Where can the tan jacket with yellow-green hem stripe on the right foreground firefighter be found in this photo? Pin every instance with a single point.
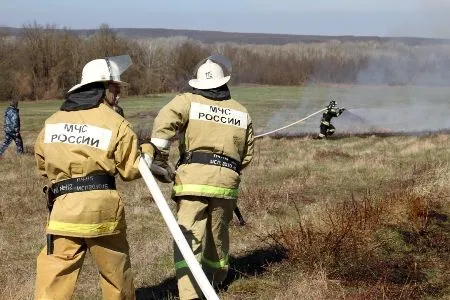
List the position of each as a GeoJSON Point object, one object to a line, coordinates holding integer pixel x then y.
{"type": "Point", "coordinates": [214, 126]}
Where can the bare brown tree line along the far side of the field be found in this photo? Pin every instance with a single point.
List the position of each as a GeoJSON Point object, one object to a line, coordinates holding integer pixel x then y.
{"type": "Point", "coordinates": [45, 61]}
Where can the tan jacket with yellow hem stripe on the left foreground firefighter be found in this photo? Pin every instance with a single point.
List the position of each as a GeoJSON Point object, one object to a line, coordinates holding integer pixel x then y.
{"type": "Point", "coordinates": [75, 144]}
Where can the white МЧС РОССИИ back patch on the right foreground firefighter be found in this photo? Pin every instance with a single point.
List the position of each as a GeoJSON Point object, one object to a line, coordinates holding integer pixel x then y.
{"type": "Point", "coordinates": [219, 115]}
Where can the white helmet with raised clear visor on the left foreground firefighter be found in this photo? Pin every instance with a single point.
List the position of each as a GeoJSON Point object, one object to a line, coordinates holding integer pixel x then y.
{"type": "Point", "coordinates": [104, 70]}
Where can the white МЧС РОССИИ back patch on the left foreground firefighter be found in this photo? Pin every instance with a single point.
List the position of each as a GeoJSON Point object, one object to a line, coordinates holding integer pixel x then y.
{"type": "Point", "coordinates": [78, 134]}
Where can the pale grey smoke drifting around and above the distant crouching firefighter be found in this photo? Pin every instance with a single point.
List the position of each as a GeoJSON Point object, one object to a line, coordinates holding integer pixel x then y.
{"type": "Point", "coordinates": [401, 89]}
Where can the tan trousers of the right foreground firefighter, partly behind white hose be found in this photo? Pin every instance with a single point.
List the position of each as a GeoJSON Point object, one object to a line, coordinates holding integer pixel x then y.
{"type": "Point", "coordinates": [204, 222]}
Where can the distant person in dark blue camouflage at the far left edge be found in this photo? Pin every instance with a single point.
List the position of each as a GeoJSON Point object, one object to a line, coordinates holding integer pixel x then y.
{"type": "Point", "coordinates": [12, 128]}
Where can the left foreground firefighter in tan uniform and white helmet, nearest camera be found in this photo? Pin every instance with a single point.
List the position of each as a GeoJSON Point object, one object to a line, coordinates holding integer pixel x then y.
{"type": "Point", "coordinates": [80, 150]}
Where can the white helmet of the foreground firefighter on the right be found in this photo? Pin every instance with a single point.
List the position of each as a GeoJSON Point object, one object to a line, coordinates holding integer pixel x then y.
{"type": "Point", "coordinates": [209, 75]}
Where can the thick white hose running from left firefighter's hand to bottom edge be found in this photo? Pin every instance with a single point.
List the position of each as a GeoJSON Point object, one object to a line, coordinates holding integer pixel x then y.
{"type": "Point", "coordinates": [175, 230]}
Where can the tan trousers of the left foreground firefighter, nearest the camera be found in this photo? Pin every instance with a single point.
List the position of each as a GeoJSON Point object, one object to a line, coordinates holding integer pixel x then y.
{"type": "Point", "coordinates": [57, 273]}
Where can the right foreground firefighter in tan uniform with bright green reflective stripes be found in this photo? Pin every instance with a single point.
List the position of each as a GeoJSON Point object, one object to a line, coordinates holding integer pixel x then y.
{"type": "Point", "coordinates": [216, 144]}
